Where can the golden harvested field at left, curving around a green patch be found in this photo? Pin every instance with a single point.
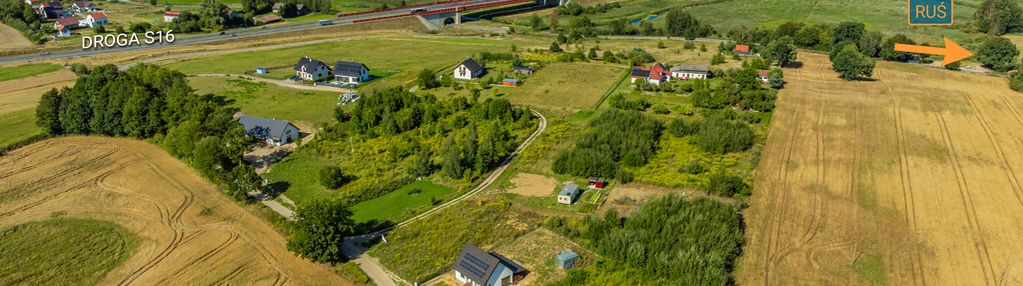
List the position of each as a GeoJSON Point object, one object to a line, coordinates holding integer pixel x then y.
{"type": "Point", "coordinates": [189, 232]}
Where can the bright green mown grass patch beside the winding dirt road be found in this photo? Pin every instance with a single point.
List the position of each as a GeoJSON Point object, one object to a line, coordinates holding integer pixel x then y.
{"type": "Point", "coordinates": [402, 204]}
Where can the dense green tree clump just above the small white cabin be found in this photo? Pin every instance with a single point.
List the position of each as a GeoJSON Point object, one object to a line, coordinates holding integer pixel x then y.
{"type": "Point", "coordinates": [616, 138]}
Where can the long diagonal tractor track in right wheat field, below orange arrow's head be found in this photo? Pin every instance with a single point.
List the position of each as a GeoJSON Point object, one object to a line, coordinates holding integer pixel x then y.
{"type": "Point", "coordinates": [968, 206]}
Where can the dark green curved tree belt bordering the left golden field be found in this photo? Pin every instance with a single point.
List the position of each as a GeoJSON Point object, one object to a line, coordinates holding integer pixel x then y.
{"type": "Point", "coordinates": [149, 102]}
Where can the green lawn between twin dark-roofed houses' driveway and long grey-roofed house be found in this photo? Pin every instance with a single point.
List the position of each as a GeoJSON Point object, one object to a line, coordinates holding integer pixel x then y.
{"type": "Point", "coordinates": [268, 101]}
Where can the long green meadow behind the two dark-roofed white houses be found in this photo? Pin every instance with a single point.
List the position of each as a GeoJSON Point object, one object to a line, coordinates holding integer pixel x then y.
{"type": "Point", "coordinates": [402, 57]}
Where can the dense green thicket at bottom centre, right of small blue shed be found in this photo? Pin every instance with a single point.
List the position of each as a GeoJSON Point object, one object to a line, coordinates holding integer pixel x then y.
{"type": "Point", "coordinates": [648, 243]}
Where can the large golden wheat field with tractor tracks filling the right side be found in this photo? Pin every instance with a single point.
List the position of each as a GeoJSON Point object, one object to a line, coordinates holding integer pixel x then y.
{"type": "Point", "coordinates": [912, 179]}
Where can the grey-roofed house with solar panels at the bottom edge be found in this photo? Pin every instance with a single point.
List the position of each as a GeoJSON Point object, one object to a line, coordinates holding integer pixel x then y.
{"type": "Point", "coordinates": [477, 268]}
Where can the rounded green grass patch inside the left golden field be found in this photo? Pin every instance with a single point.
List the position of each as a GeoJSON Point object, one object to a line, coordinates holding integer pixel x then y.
{"type": "Point", "coordinates": [63, 252]}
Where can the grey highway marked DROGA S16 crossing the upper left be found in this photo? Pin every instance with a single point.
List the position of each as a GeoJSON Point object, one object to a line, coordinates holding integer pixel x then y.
{"type": "Point", "coordinates": [240, 33]}
